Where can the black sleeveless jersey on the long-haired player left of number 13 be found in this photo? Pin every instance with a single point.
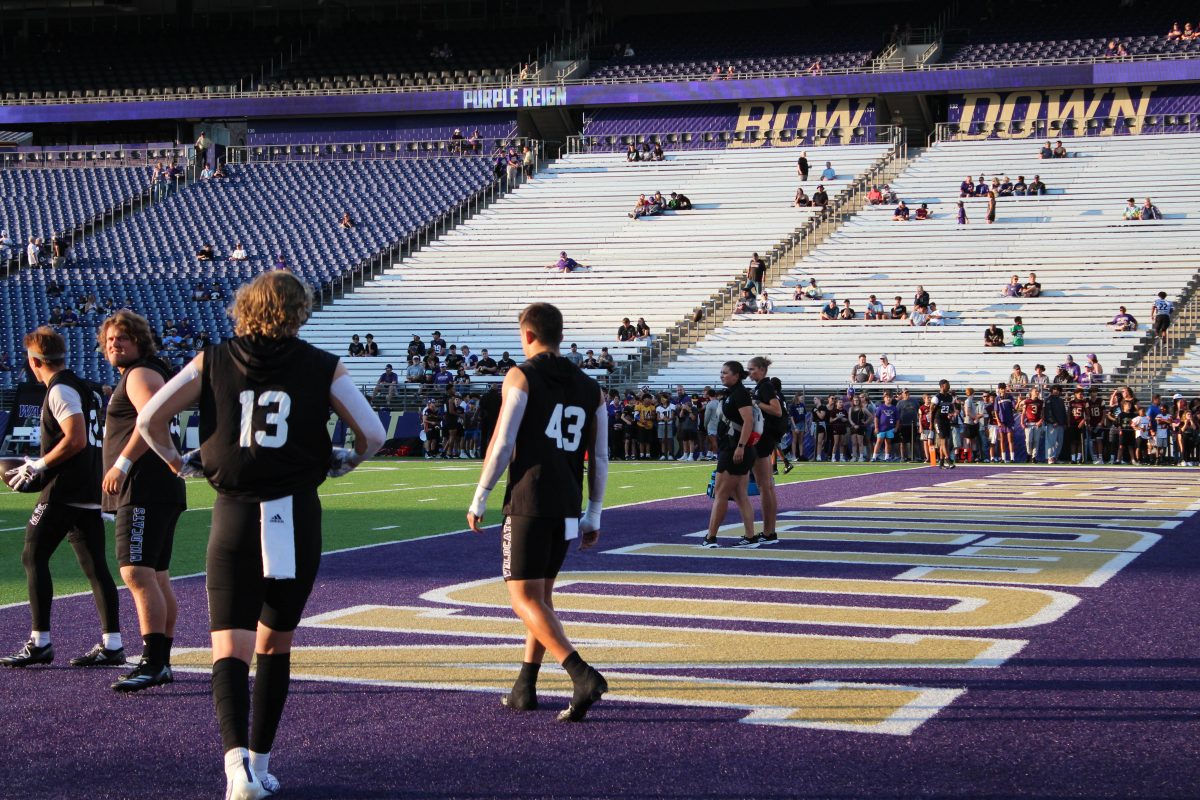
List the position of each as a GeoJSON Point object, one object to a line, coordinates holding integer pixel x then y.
{"type": "Point", "coordinates": [151, 480]}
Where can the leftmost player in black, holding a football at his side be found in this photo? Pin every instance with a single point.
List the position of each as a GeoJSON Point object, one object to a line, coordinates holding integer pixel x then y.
{"type": "Point", "coordinates": [68, 473]}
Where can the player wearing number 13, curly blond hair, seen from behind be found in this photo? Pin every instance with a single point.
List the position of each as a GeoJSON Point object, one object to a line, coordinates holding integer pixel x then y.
{"type": "Point", "coordinates": [265, 400]}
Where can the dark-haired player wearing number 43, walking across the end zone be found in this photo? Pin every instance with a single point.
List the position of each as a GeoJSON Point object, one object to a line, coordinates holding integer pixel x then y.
{"type": "Point", "coordinates": [551, 417]}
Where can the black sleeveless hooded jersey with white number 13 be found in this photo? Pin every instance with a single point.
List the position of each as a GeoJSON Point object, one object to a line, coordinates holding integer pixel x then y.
{"type": "Point", "coordinates": [265, 417]}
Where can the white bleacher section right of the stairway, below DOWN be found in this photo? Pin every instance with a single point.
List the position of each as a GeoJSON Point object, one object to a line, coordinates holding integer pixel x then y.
{"type": "Point", "coordinates": [1088, 260]}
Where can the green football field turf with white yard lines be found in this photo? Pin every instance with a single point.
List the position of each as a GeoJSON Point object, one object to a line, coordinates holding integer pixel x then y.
{"type": "Point", "coordinates": [381, 502]}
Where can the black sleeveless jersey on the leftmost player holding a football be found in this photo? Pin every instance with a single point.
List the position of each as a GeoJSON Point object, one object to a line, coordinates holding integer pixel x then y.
{"type": "Point", "coordinates": [77, 479]}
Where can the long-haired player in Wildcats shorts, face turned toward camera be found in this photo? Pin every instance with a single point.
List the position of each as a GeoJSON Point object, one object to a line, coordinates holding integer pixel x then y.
{"type": "Point", "coordinates": [145, 495]}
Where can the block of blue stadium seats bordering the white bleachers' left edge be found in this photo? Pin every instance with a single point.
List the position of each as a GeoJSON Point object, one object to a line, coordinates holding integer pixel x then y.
{"type": "Point", "coordinates": [148, 260]}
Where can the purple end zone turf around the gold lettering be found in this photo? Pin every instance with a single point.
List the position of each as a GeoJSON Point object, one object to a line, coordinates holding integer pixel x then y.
{"type": "Point", "coordinates": [1102, 703]}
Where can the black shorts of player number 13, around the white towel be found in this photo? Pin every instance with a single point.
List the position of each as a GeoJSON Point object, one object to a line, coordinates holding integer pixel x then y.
{"type": "Point", "coordinates": [239, 596]}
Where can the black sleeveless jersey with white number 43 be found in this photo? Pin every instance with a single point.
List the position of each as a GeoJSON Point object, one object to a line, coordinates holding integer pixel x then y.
{"type": "Point", "coordinates": [547, 474]}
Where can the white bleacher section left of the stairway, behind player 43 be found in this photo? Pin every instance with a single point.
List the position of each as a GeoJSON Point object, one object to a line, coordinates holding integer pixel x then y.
{"type": "Point", "coordinates": [472, 284]}
